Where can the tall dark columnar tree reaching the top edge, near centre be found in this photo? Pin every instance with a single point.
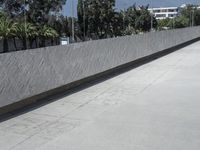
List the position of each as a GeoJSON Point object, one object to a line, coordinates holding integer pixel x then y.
{"type": "Point", "coordinates": [99, 16]}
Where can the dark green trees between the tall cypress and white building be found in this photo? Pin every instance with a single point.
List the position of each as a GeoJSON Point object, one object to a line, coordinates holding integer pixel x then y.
{"type": "Point", "coordinates": [99, 19]}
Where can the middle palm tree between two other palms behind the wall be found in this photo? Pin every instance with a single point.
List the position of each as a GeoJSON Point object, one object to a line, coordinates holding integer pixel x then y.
{"type": "Point", "coordinates": [25, 32]}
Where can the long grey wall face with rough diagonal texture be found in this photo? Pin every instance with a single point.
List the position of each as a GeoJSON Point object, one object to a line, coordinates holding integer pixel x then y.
{"type": "Point", "coordinates": [24, 74]}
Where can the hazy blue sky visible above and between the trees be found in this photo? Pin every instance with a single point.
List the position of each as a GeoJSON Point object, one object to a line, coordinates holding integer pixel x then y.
{"type": "Point", "coordinates": [125, 3]}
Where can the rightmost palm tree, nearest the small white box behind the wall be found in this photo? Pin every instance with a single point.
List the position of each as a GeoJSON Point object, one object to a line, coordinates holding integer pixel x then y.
{"type": "Point", "coordinates": [47, 32]}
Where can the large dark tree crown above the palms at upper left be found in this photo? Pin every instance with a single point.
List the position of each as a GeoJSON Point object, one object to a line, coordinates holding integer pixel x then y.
{"type": "Point", "coordinates": [39, 12]}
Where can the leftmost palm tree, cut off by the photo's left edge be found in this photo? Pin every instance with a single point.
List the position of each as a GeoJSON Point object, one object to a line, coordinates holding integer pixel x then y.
{"type": "Point", "coordinates": [7, 30]}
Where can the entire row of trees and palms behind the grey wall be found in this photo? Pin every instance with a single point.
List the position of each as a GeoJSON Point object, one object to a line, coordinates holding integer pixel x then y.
{"type": "Point", "coordinates": [35, 21]}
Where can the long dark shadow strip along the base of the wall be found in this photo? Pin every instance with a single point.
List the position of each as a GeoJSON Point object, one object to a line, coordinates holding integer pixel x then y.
{"type": "Point", "coordinates": [56, 94]}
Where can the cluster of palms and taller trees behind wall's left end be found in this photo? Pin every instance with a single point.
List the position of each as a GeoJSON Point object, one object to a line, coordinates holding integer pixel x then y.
{"type": "Point", "coordinates": [31, 21]}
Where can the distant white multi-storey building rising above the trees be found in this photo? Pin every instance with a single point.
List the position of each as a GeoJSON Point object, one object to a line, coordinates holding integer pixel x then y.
{"type": "Point", "coordinates": [164, 12]}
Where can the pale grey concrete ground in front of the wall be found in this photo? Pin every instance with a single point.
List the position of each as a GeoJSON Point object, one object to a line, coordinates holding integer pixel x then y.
{"type": "Point", "coordinates": [153, 107]}
